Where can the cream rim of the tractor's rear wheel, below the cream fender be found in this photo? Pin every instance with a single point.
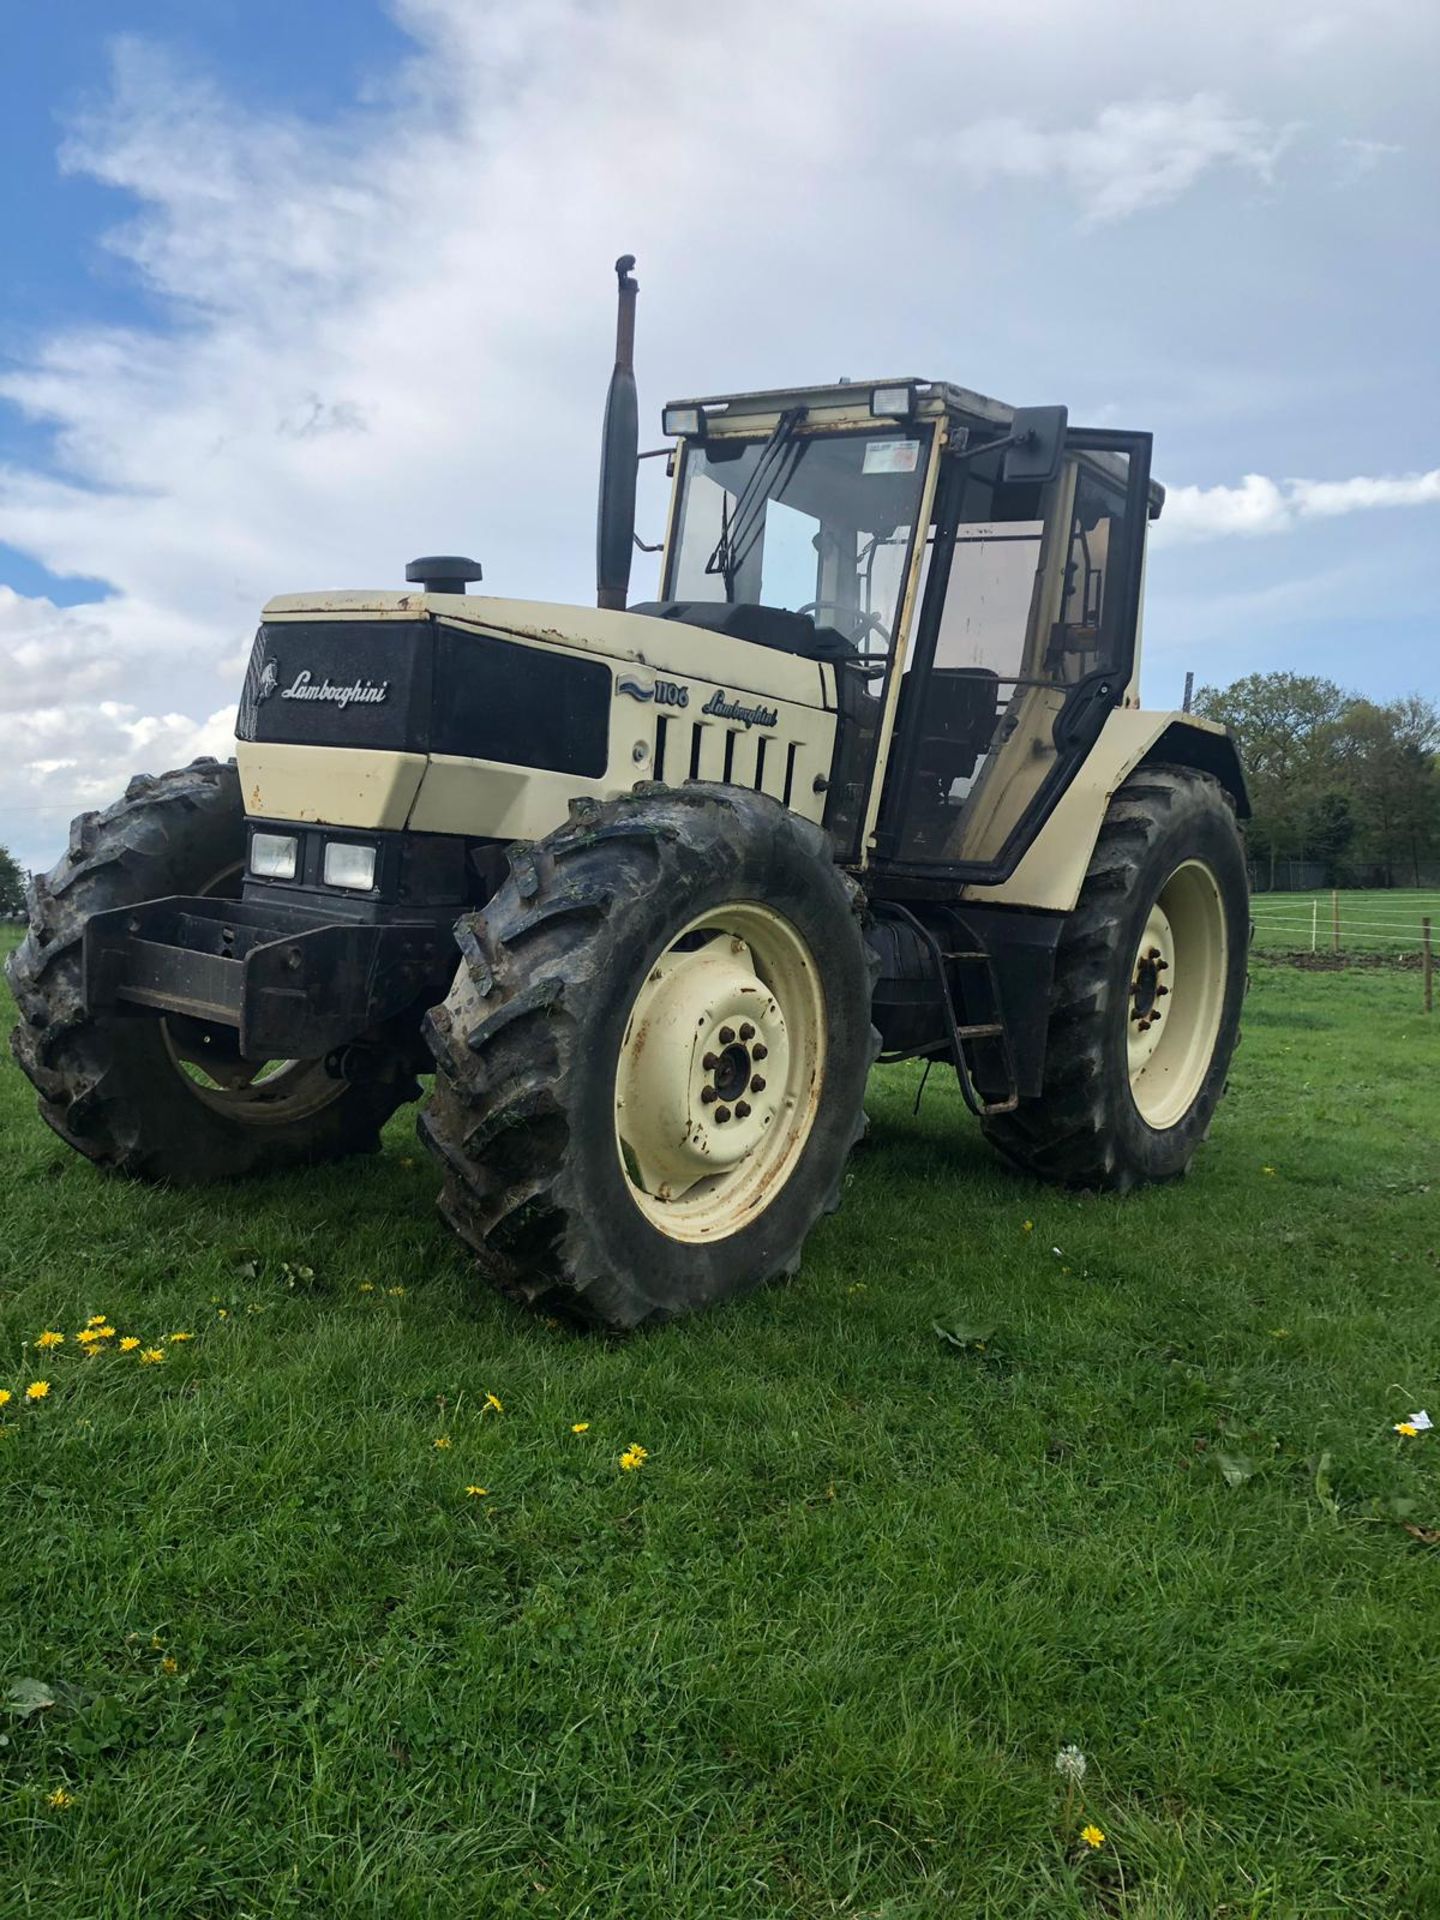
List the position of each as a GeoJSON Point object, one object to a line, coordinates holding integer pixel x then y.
{"type": "Point", "coordinates": [1178, 996]}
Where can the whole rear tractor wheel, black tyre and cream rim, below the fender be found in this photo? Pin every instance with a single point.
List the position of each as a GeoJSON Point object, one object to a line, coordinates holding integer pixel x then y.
{"type": "Point", "coordinates": [1149, 982]}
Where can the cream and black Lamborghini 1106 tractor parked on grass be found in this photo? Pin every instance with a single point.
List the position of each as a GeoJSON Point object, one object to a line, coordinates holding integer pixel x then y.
{"type": "Point", "coordinates": [650, 888]}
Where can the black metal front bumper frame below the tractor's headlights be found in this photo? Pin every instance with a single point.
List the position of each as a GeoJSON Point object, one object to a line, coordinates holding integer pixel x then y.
{"type": "Point", "coordinates": [291, 980]}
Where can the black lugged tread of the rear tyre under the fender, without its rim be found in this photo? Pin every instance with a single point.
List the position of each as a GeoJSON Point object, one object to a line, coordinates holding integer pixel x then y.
{"type": "Point", "coordinates": [1070, 1134]}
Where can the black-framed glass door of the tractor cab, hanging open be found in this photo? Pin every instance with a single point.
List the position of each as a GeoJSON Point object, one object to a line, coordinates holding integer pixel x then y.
{"type": "Point", "coordinates": [1026, 642]}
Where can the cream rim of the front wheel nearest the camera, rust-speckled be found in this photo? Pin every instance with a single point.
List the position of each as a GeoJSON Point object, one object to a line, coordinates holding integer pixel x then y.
{"type": "Point", "coordinates": [721, 1070]}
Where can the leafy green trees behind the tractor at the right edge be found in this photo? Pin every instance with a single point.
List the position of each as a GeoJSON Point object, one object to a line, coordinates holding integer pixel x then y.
{"type": "Point", "coordinates": [1337, 779]}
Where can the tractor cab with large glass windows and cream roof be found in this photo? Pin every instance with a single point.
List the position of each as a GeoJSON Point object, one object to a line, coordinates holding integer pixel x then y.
{"type": "Point", "coordinates": [971, 573]}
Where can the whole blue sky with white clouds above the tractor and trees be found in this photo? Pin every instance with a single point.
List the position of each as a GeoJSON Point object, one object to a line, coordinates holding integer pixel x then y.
{"type": "Point", "coordinates": [299, 293]}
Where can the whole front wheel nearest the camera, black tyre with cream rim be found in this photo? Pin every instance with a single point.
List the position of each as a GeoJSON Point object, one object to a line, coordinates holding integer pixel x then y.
{"type": "Point", "coordinates": [652, 1067]}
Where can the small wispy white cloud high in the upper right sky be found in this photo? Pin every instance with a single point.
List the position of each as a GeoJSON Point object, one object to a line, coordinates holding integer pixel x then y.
{"type": "Point", "coordinates": [1136, 155]}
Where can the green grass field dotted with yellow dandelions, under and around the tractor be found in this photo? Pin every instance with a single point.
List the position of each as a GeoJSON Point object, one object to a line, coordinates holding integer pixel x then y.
{"type": "Point", "coordinates": [817, 1656]}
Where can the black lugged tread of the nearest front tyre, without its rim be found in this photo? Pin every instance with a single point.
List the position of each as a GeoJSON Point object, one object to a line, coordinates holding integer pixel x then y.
{"type": "Point", "coordinates": [535, 967]}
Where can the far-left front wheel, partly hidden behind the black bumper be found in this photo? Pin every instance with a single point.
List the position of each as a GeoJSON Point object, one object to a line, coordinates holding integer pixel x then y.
{"type": "Point", "coordinates": [147, 1095]}
